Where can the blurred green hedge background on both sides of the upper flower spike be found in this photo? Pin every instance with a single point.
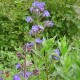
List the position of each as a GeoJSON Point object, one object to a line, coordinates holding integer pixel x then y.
{"type": "Point", "coordinates": [14, 29]}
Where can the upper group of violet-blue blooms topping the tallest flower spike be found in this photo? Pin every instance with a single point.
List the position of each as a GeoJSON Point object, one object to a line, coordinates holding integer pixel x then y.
{"type": "Point", "coordinates": [38, 8]}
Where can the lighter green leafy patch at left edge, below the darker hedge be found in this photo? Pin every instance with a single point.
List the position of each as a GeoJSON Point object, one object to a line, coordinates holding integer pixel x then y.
{"type": "Point", "coordinates": [7, 59]}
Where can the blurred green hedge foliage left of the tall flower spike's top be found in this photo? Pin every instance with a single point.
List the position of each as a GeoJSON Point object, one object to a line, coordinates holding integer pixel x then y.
{"type": "Point", "coordinates": [13, 27]}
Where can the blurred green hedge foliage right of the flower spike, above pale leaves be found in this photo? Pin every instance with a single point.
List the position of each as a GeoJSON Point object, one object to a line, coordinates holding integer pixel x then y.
{"type": "Point", "coordinates": [64, 17]}
